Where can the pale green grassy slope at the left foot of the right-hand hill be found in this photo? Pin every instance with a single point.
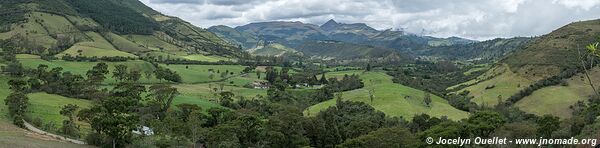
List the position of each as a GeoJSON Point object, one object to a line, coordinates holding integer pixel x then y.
{"type": "Point", "coordinates": [502, 84]}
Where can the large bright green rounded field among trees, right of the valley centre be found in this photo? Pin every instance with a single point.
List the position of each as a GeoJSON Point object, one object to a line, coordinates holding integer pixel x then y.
{"type": "Point", "coordinates": [391, 98]}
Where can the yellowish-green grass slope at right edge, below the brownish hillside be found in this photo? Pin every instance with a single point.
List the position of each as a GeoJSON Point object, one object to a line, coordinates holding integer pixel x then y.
{"type": "Point", "coordinates": [555, 100]}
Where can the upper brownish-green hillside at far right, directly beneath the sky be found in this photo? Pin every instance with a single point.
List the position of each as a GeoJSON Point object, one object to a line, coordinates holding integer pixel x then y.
{"type": "Point", "coordinates": [549, 54]}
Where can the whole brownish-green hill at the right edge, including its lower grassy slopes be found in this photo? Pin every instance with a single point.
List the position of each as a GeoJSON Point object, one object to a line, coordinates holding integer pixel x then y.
{"type": "Point", "coordinates": [541, 58]}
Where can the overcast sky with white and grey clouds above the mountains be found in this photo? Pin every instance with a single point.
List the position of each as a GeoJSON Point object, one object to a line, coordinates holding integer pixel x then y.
{"type": "Point", "coordinates": [473, 19]}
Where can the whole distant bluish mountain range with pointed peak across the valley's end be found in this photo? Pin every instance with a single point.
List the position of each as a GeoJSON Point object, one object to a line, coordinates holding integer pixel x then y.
{"type": "Point", "coordinates": [361, 37]}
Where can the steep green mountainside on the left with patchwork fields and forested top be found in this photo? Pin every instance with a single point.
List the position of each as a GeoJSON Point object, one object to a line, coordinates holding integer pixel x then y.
{"type": "Point", "coordinates": [91, 27]}
